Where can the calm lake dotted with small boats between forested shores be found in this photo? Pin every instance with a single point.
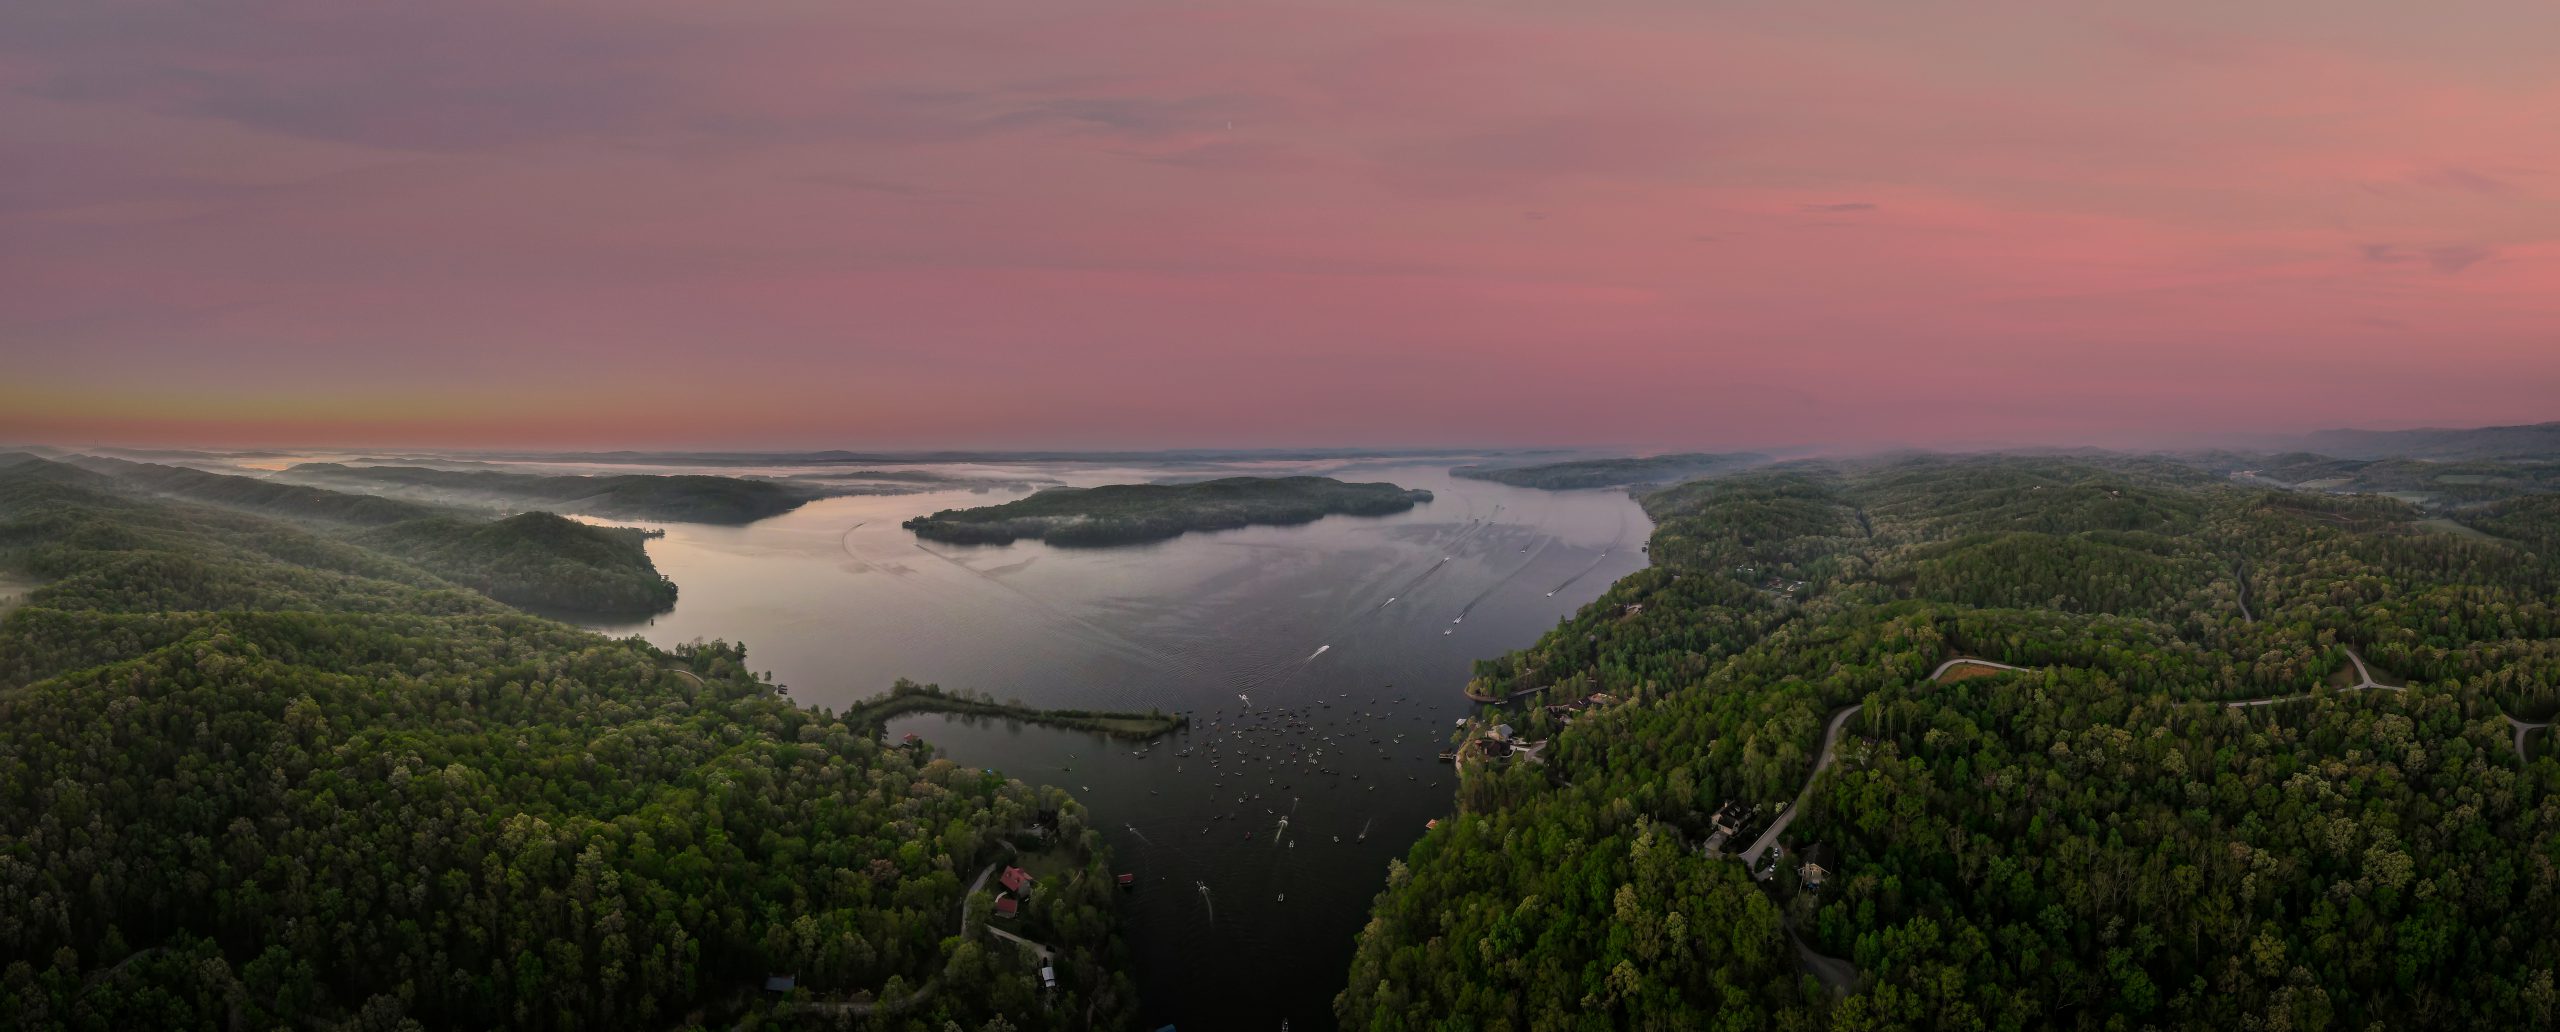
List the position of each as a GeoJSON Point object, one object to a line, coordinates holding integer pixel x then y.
{"type": "Point", "coordinates": [1281, 641]}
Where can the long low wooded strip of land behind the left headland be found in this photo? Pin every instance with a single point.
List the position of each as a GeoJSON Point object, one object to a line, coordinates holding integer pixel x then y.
{"type": "Point", "coordinates": [669, 498]}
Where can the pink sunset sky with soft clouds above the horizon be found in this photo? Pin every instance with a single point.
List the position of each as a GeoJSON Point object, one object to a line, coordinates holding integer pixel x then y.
{"type": "Point", "coordinates": [1274, 224]}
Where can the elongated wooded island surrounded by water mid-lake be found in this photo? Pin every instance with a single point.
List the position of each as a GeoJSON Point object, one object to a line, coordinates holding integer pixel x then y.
{"type": "Point", "coordinates": [1135, 513]}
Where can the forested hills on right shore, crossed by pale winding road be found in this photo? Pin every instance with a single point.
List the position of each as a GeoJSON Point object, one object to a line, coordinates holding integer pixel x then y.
{"type": "Point", "coordinates": [2013, 744]}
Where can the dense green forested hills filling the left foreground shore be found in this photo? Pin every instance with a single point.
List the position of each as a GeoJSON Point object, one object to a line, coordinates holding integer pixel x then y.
{"type": "Point", "coordinates": [268, 775]}
